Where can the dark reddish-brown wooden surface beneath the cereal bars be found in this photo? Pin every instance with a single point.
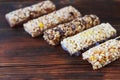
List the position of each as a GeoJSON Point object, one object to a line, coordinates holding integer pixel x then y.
{"type": "Point", "coordinates": [26, 58]}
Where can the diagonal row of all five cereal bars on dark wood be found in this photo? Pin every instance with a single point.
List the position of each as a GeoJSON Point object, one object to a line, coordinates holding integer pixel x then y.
{"type": "Point", "coordinates": [65, 26]}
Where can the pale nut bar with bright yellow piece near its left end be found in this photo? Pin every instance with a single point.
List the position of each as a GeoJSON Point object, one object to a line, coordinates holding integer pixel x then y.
{"type": "Point", "coordinates": [37, 26]}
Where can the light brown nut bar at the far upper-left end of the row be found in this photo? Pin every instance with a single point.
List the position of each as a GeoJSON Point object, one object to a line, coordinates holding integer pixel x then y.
{"type": "Point", "coordinates": [22, 15]}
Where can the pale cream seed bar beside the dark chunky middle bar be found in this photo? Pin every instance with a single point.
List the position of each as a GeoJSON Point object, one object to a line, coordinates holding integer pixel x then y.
{"type": "Point", "coordinates": [82, 41]}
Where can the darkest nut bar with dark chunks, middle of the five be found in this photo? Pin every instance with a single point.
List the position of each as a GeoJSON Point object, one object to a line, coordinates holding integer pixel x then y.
{"type": "Point", "coordinates": [54, 35]}
